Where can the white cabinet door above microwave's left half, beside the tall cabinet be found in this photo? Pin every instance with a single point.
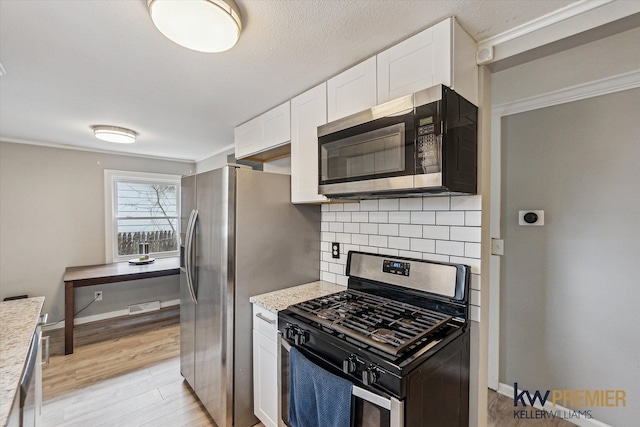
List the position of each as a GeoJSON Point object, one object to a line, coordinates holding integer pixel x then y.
{"type": "Point", "coordinates": [352, 91]}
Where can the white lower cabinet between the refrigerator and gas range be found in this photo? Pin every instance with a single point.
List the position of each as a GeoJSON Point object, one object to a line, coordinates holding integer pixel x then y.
{"type": "Point", "coordinates": [265, 366]}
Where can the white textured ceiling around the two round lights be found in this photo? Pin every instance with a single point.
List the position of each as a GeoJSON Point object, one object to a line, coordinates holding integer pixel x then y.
{"type": "Point", "coordinates": [71, 64]}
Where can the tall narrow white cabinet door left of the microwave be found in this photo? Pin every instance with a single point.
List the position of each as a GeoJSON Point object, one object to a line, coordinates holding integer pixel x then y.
{"type": "Point", "coordinates": [308, 111]}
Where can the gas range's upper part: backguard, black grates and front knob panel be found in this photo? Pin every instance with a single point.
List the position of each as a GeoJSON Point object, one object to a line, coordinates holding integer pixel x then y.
{"type": "Point", "coordinates": [395, 315]}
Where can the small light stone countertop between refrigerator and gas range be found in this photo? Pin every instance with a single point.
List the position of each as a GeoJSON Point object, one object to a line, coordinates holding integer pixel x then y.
{"type": "Point", "coordinates": [279, 300]}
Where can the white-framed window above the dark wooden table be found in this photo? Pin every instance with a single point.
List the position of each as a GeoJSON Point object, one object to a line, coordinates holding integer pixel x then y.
{"type": "Point", "coordinates": [141, 208]}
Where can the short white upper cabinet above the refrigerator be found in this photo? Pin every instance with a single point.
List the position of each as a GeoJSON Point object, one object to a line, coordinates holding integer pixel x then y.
{"type": "Point", "coordinates": [263, 137]}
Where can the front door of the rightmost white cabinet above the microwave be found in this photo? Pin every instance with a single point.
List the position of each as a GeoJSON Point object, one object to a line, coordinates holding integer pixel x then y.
{"type": "Point", "coordinates": [419, 62]}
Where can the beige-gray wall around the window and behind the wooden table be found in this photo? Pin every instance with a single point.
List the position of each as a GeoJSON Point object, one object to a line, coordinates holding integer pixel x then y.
{"type": "Point", "coordinates": [52, 216]}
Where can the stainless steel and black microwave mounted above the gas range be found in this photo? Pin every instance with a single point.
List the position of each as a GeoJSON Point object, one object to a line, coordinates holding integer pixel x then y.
{"type": "Point", "coordinates": [421, 144]}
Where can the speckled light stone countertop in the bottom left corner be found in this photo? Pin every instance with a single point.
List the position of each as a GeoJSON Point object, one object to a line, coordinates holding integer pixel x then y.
{"type": "Point", "coordinates": [18, 322]}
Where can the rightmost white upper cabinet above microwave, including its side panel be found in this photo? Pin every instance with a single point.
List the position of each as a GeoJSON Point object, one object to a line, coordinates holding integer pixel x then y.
{"type": "Point", "coordinates": [443, 54]}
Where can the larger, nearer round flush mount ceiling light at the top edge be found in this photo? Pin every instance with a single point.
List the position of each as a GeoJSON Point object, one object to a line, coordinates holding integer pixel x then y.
{"type": "Point", "coordinates": [202, 25]}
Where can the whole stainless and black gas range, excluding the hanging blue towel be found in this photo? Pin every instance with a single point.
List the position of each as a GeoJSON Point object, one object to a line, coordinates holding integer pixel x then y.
{"type": "Point", "coordinates": [398, 333]}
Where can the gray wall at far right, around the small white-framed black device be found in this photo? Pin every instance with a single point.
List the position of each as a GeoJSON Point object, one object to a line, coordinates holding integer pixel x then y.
{"type": "Point", "coordinates": [569, 291]}
